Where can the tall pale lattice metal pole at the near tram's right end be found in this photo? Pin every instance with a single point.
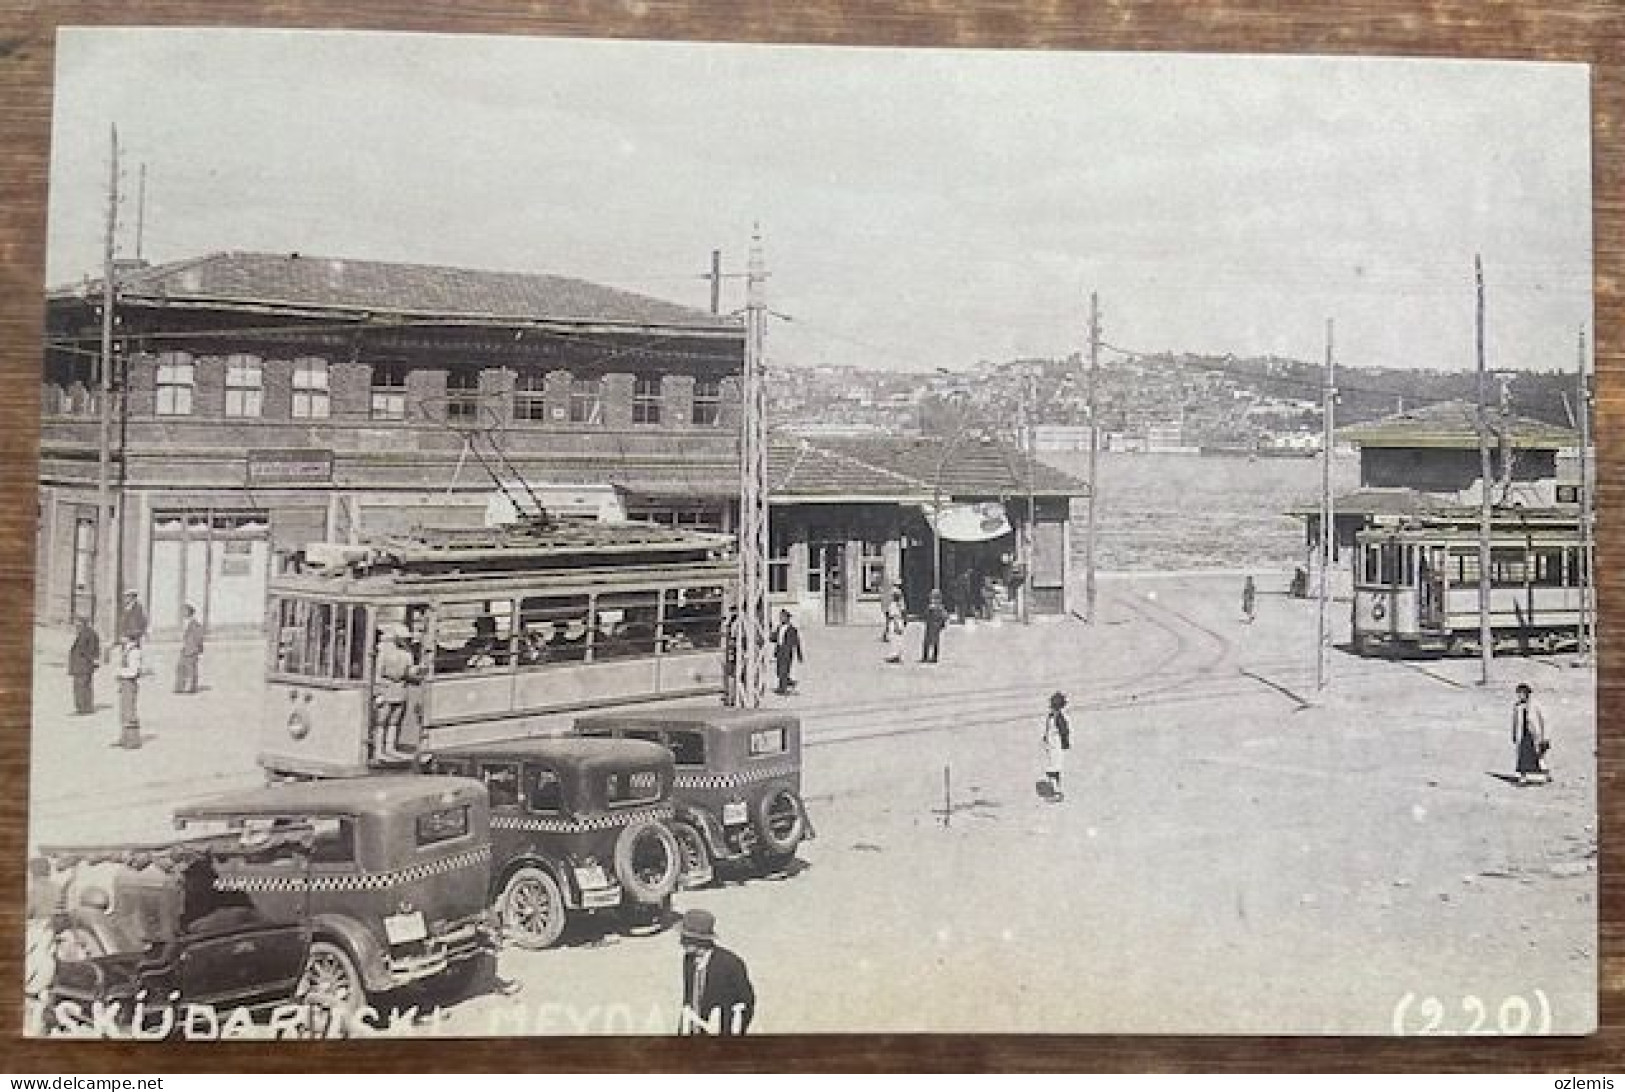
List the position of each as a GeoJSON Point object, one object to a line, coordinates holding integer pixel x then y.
{"type": "Point", "coordinates": [752, 635]}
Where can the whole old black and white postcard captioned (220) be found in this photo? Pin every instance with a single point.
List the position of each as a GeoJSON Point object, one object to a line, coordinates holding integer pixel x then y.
{"type": "Point", "coordinates": [581, 537]}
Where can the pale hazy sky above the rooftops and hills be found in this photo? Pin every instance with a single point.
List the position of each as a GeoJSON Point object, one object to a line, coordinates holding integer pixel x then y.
{"type": "Point", "coordinates": [917, 209]}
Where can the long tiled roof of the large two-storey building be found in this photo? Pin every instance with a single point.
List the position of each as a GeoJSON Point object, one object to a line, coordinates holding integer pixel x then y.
{"type": "Point", "coordinates": [399, 288]}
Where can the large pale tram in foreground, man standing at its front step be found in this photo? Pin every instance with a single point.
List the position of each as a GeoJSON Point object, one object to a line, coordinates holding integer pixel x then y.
{"type": "Point", "coordinates": [511, 630]}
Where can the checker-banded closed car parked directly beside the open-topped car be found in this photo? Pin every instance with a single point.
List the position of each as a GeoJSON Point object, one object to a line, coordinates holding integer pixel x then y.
{"type": "Point", "coordinates": [394, 886]}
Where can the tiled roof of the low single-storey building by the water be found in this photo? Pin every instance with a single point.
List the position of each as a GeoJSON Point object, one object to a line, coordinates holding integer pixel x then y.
{"type": "Point", "coordinates": [911, 469]}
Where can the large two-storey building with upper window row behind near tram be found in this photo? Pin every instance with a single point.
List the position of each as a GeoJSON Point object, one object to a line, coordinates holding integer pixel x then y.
{"type": "Point", "coordinates": [272, 401]}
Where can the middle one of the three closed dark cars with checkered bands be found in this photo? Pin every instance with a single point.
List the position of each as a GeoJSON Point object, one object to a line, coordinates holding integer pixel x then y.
{"type": "Point", "coordinates": [576, 826]}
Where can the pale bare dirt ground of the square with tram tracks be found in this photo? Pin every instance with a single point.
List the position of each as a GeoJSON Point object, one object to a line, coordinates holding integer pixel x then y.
{"type": "Point", "coordinates": [1237, 852]}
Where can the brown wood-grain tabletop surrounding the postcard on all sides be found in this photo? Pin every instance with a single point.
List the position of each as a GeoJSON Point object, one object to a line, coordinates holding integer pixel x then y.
{"type": "Point", "coordinates": [1571, 30]}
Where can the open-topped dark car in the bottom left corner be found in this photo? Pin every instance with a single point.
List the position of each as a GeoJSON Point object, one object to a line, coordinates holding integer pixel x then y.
{"type": "Point", "coordinates": [124, 938]}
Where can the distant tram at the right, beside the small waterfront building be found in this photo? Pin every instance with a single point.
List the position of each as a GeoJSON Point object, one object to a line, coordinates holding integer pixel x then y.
{"type": "Point", "coordinates": [1416, 586]}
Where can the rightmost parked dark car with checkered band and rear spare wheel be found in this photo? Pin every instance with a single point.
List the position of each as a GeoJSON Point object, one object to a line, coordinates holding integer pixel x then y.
{"type": "Point", "coordinates": [739, 782]}
